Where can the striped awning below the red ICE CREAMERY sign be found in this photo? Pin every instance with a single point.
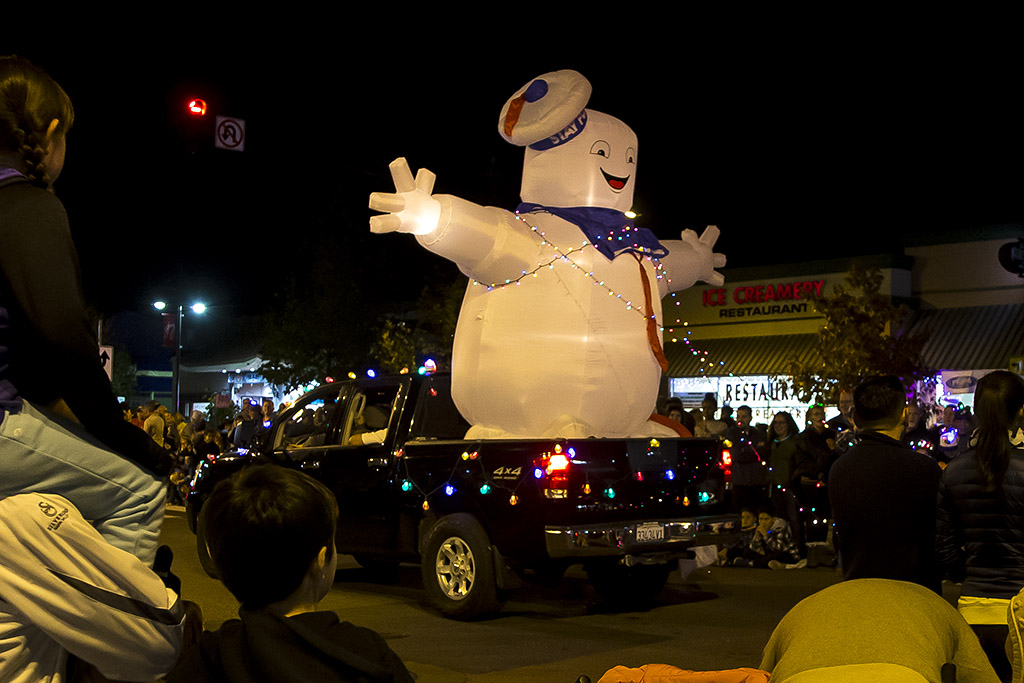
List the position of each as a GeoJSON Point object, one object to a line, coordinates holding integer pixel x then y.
{"type": "Point", "coordinates": [739, 356]}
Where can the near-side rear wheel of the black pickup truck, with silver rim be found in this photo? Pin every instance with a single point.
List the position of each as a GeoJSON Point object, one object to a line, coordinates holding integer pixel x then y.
{"type": "Point", "coordinates": [458, 569]}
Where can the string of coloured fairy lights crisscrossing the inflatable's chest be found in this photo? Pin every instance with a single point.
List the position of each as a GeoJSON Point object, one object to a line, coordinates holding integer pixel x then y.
{"type": "Point", "coordinates": [564, 255]}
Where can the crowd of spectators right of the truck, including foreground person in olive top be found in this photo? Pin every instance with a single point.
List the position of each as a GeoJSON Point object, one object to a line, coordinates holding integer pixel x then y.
{"type": "Point", "coordinates": [904, 505]}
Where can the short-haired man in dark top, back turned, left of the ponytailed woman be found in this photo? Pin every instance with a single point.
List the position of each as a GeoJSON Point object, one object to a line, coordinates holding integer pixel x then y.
{"type": "Point", "coordinates": [883, 494]}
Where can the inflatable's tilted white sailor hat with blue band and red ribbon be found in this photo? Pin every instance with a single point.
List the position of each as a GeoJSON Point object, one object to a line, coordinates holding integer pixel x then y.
{"type": "Point", "coordinates": [547, 112]}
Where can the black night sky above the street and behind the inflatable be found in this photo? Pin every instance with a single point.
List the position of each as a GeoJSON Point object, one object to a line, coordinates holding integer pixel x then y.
{"type": "Point", "coordinates": [798, 148]}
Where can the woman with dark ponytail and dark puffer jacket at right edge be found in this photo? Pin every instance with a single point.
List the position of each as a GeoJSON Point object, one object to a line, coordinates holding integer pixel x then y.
{"type": "Point", "coordinates": [982, 515]}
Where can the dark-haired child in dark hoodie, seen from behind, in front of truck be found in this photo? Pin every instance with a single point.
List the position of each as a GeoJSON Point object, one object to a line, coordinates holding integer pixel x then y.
{"type": "Point", "coordinates": [271, 533]}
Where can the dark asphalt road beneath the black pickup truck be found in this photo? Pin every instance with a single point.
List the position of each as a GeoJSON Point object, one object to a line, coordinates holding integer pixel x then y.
{"type": "Point", "coordinates": [717, 619]}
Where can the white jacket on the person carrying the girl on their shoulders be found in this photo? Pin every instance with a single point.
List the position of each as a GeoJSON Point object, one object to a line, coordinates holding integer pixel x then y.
{"type": "Point", "coordinates": [65, 590]}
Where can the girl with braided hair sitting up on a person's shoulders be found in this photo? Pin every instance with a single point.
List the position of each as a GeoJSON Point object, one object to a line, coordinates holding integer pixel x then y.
{"type": "Point", "coordinates": [62, 431]}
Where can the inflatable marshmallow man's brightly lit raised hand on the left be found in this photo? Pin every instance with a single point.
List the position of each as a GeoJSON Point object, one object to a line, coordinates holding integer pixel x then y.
{"type": "Point", "coordinates": [411, 209]}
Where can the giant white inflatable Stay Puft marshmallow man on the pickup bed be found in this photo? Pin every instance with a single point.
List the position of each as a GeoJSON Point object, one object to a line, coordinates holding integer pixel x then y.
{"type": "Point", "coordinates": [560, 333]}
